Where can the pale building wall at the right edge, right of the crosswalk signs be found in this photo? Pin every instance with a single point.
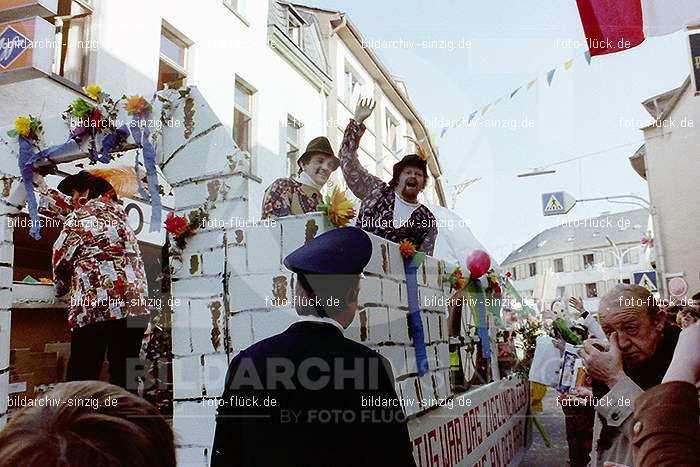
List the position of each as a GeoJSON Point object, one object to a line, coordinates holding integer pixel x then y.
{"type": "Point", "coordinates": [670, 164]}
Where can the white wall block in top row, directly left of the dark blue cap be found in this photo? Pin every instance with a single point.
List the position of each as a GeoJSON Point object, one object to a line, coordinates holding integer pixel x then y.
{"type": "Point", "coordinates": [264, 247]}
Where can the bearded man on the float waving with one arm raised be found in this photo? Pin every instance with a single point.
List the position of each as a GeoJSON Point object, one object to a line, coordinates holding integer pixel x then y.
{"type": "Point", "coordinates": [392, 210]}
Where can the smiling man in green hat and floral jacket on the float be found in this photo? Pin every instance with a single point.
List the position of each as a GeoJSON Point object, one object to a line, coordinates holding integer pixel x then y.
{"type": "Point", "coordinates": [288, 196]}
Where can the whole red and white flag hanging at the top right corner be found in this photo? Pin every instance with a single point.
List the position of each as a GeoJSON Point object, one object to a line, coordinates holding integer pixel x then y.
{"type": "Point", "coordinates": [614, 25]}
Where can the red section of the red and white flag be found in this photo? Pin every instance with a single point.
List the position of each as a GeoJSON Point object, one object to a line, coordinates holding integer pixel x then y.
{"type": "Point", "coordinates": [611, 25]}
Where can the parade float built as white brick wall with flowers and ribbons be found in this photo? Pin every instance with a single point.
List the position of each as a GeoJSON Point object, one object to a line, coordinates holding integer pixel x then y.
{"type": "Point", "coordinates": [218, 284]}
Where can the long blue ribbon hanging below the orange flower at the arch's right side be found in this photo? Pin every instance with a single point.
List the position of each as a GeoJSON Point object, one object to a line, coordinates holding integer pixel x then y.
{"type": "Point", "coordinates": [149, 160]}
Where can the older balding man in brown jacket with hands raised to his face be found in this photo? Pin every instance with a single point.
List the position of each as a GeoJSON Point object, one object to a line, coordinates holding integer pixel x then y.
{"type": "Point", "coordinates": [641, 349]}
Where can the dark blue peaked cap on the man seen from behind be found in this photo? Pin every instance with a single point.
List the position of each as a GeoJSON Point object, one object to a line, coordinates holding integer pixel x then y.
{"type": "Point", "coordinates": [345, 250]}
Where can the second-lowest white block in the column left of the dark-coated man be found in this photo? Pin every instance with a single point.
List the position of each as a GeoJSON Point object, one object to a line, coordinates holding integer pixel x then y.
{"type": "Point", "coordinates": [194, 422]}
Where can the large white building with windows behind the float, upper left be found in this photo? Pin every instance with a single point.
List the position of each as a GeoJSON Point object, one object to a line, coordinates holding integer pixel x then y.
{"type": "Point", "coordinates": [276, 75]}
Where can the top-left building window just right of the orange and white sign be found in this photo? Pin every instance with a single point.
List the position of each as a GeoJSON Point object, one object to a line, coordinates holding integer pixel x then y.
{"type": "Point", "coordinates": [73, 43]}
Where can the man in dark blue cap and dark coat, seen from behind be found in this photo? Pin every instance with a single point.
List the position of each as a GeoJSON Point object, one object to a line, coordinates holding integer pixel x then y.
{"type": "Point", "coordinates": [309, 396]}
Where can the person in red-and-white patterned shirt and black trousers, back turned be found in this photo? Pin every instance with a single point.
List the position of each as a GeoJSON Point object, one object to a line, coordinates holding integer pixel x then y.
{"type": "Point", "coordinates": [96, 259]}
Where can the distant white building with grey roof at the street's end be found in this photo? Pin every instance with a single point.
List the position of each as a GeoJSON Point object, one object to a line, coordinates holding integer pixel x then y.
{"type": "Point", "coordinates": [583, 258]}
